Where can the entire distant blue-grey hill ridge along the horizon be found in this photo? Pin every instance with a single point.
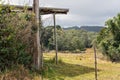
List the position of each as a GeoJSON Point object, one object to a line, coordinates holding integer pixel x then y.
{"type": "Point", "coordinates": [87, 28]}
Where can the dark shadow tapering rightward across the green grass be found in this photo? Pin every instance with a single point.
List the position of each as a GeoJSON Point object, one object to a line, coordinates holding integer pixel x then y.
{"type": "Point", "coordinates": [63, 70]}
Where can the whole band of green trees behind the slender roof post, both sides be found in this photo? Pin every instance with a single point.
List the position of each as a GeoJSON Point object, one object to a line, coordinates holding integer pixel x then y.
{"type": "Point", "coordinates": [68, 40]}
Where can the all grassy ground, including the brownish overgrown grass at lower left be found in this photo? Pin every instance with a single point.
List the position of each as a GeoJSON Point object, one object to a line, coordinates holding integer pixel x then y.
{"type": "Point", "coordinates": [71, 66]}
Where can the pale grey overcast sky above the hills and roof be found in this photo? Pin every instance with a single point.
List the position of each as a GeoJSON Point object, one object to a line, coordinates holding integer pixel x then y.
{"type": "Point", "coordinates": [82, 12]}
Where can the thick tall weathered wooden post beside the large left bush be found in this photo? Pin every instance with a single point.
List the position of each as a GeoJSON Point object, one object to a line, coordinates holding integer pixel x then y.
{"type": "Point", "coordinates": [37, 46]}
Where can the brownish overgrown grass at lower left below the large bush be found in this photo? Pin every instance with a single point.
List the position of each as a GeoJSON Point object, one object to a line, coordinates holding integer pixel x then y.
{"type": "Point", "coordinates": [19, 72]}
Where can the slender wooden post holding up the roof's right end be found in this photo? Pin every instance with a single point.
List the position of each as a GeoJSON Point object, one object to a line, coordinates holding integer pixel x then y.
{"type": "Point", "coordinates": [55, 39]}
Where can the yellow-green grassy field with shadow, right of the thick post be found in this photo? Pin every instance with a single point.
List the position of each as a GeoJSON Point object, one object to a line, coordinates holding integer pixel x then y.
{"type": "Point", "coordinates": [79, 67]}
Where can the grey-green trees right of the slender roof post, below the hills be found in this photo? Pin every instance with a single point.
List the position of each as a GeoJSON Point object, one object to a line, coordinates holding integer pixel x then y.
{"type": "Point", "coordinates": [75, 40]}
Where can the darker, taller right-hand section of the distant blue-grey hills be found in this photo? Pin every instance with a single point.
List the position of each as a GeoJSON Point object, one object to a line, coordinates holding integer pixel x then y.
{"type": "Point", "coordinates": [91, 28]}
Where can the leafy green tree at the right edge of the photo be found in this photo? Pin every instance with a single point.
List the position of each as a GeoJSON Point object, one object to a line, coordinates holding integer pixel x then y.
{"type": "Point", "coordinates": [109, 39]}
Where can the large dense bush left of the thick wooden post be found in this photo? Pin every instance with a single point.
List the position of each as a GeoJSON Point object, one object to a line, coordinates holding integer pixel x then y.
{"type": "Point", "coordinates": [14, 34]}
